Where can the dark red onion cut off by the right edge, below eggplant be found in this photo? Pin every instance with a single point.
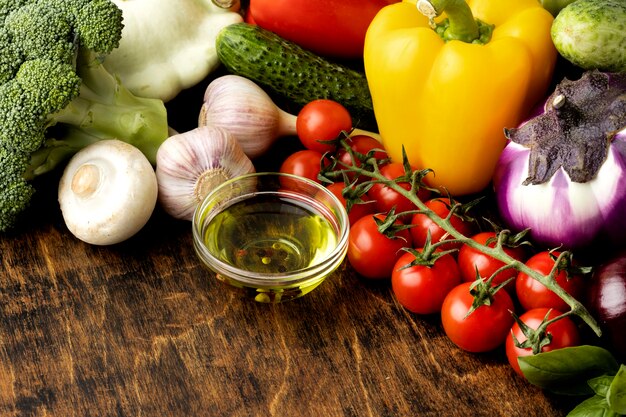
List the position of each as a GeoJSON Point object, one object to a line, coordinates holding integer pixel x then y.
{"type": "Point", "coordinates": [607, 302]}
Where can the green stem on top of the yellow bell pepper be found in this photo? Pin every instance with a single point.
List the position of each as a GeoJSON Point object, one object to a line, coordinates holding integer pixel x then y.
{"type": "Point", "coordinates": [461, 23]}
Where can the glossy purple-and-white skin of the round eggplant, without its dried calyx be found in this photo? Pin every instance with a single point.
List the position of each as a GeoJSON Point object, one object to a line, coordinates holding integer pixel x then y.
{"type": "Point", "coordinates": [578, 216]}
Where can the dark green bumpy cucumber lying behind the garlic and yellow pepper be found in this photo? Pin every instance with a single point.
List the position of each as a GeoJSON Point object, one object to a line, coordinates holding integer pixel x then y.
{"type": "Point", "coordinates": [293, 72]}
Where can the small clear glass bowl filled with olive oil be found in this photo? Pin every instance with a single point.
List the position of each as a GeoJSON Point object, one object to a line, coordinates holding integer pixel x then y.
{"type": "Point", "coordinates": [272, 236]}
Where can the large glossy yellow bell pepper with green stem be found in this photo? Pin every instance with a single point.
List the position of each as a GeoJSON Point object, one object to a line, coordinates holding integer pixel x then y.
{"type": "Point", "coordinates": [448, 101]}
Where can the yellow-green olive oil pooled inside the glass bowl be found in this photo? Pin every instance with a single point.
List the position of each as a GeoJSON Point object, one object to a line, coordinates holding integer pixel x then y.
{"type": "Point", "coordinates": [270, 234]}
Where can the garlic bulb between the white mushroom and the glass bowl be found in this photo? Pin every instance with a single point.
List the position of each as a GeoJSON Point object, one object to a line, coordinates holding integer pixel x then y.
{"type": "Point", "coordinates": [191, 164]}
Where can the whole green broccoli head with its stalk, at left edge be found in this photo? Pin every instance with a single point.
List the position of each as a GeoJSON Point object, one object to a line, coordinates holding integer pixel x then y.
{"type": "Point", "coordinates": [56, 97]}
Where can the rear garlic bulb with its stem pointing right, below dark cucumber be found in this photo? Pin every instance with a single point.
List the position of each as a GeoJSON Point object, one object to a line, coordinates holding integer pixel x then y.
{"type": "Point", "coordinates": [247, 111]}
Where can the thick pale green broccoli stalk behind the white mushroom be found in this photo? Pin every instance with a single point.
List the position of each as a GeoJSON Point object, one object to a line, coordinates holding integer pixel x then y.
{"type": "Point", "coordinates": [104, 109]}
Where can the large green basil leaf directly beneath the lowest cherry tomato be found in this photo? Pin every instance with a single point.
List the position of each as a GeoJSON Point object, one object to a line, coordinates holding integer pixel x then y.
{"type": "Point", "coordinates": [566, 370]}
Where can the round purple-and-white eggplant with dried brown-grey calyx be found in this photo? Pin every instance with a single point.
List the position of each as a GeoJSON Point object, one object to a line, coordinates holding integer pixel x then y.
{"type": "Point", "coordinates": [563, 173]}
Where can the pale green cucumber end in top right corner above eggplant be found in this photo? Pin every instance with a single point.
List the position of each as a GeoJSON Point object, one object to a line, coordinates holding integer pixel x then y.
{"type": "Point", "coordinates": [592, 34]}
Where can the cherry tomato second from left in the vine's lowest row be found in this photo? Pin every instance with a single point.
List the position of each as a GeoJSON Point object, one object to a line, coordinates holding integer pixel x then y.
{"type": "Point", "coordinates": [421, 289]}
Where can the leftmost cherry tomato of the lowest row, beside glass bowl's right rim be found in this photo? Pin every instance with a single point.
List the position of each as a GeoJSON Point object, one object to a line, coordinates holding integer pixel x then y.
{"type": "Point", "coordinates": [371, 253]}
